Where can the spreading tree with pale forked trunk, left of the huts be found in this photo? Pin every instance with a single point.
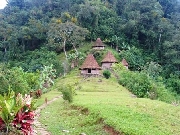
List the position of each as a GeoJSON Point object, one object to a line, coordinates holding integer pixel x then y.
{"type": "Point", "coordinates": [60, 34]}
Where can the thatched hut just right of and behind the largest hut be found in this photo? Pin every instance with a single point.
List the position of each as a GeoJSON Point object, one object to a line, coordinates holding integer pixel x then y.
{"type": "Point", "coordinates": [108, 60]}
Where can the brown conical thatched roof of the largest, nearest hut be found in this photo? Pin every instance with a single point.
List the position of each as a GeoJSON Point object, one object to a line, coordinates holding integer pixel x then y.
{"type": "Point", "coordinates": [90, 63]}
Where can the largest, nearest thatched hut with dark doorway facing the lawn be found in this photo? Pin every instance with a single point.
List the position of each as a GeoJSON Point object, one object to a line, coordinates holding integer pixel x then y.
{"type": "Point", "coordinates": [90, 66]}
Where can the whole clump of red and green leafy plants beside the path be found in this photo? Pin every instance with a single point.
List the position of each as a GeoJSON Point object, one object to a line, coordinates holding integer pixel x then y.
{"type": "Point", "coordinates": [16, 112]}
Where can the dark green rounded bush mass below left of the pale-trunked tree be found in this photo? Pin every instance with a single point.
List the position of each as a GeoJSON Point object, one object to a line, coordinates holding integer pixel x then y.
{"type": "Point", "coordinates": [32, 61]}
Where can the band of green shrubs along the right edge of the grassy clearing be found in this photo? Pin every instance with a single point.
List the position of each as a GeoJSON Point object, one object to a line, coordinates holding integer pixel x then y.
{"type": "Point", "coordinates": [140, 84]}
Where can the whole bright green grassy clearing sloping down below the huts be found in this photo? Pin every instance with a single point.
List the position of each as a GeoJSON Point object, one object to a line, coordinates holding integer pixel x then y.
{"type": "Point", "coordinates": [115, 106]}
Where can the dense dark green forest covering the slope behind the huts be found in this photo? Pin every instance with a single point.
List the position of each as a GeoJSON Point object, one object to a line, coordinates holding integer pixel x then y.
{"type": "Point", "coordinates": [145, 32]}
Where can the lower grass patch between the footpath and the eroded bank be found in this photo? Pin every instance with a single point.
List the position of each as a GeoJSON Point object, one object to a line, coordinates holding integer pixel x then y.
{"type": "Point", "coordinates": [74, 120]}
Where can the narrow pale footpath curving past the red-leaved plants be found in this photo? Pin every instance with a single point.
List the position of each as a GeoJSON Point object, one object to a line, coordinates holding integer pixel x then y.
{"type": "Point", "coordinates": [38, 127]}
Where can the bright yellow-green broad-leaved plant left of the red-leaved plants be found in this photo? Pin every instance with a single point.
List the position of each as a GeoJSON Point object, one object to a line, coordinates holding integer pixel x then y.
{"type": "Point", "coordinates": [8, 108]}
